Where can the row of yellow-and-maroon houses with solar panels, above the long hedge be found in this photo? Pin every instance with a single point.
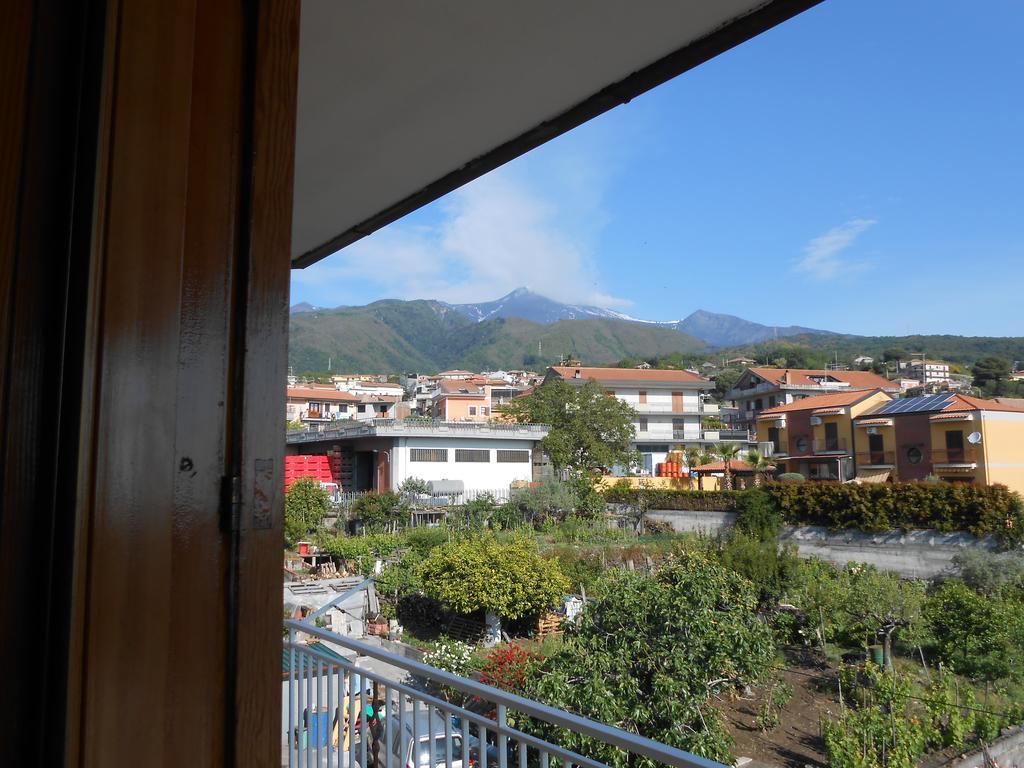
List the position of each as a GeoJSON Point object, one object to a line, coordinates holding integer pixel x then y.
{"type": "Point", "coordinates": [869, 437]}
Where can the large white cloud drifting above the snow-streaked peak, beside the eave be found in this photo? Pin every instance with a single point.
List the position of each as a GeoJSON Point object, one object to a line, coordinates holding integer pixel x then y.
{"type": "Point", "coordinates": [493, 236]}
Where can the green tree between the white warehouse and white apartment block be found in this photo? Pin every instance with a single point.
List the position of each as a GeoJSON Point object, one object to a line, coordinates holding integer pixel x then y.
{"type": "Point", "coordinates": [590, 431]}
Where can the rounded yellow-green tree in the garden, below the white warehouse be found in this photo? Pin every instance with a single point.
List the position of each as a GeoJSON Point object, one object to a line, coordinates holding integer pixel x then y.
{"type": "Point", "coordinates": [484, 574]}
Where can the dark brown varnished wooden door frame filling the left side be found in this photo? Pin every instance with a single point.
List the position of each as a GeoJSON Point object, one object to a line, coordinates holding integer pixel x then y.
{"type": "Point", "coordinates": [146, 239]}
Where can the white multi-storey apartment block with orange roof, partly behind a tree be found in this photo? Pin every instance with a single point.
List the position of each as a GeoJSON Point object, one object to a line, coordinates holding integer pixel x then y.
{"type": "Point", "coordinates": [669, 405]}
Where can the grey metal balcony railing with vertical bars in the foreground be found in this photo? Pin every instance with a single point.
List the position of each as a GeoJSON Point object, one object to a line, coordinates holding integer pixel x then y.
{"type": "Point", "coordinates": [330, 724]}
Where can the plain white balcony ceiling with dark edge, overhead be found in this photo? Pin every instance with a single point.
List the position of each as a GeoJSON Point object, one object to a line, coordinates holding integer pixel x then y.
{"type": "Point", "coordinates": [401, 103]}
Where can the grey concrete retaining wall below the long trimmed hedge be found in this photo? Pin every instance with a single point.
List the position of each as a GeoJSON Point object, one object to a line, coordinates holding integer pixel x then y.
{"type": "Point", "coordinates": [919, 554]}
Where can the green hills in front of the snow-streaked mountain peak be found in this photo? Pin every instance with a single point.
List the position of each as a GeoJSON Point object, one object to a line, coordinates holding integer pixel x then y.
{"type": "Point", "coordinates": [391, 336]}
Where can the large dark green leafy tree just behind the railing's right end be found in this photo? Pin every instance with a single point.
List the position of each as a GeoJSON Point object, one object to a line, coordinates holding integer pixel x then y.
{"type": "Point", "coordinates": [650, 652]}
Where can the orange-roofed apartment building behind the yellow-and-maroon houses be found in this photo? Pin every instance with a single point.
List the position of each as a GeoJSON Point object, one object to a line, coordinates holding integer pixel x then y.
{"type": "Point", "coordinates": [761, 389]}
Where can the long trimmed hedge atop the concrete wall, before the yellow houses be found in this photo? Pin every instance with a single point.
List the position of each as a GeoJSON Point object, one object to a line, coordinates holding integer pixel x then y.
{"type": "Point", "coordinates": [982, 510]}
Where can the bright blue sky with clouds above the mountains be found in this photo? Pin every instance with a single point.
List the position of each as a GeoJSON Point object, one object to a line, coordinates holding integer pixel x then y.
{"type": "Point", "coordinates": [860, 168]}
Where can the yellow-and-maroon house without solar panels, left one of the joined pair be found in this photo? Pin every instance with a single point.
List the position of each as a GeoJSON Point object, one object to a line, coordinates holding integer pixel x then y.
{"type": "Point", "coordinates": [816, 436]}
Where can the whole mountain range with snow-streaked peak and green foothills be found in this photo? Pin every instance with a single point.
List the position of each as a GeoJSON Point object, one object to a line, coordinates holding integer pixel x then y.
{"type": "Point", "coordinates": [521, 330]}
